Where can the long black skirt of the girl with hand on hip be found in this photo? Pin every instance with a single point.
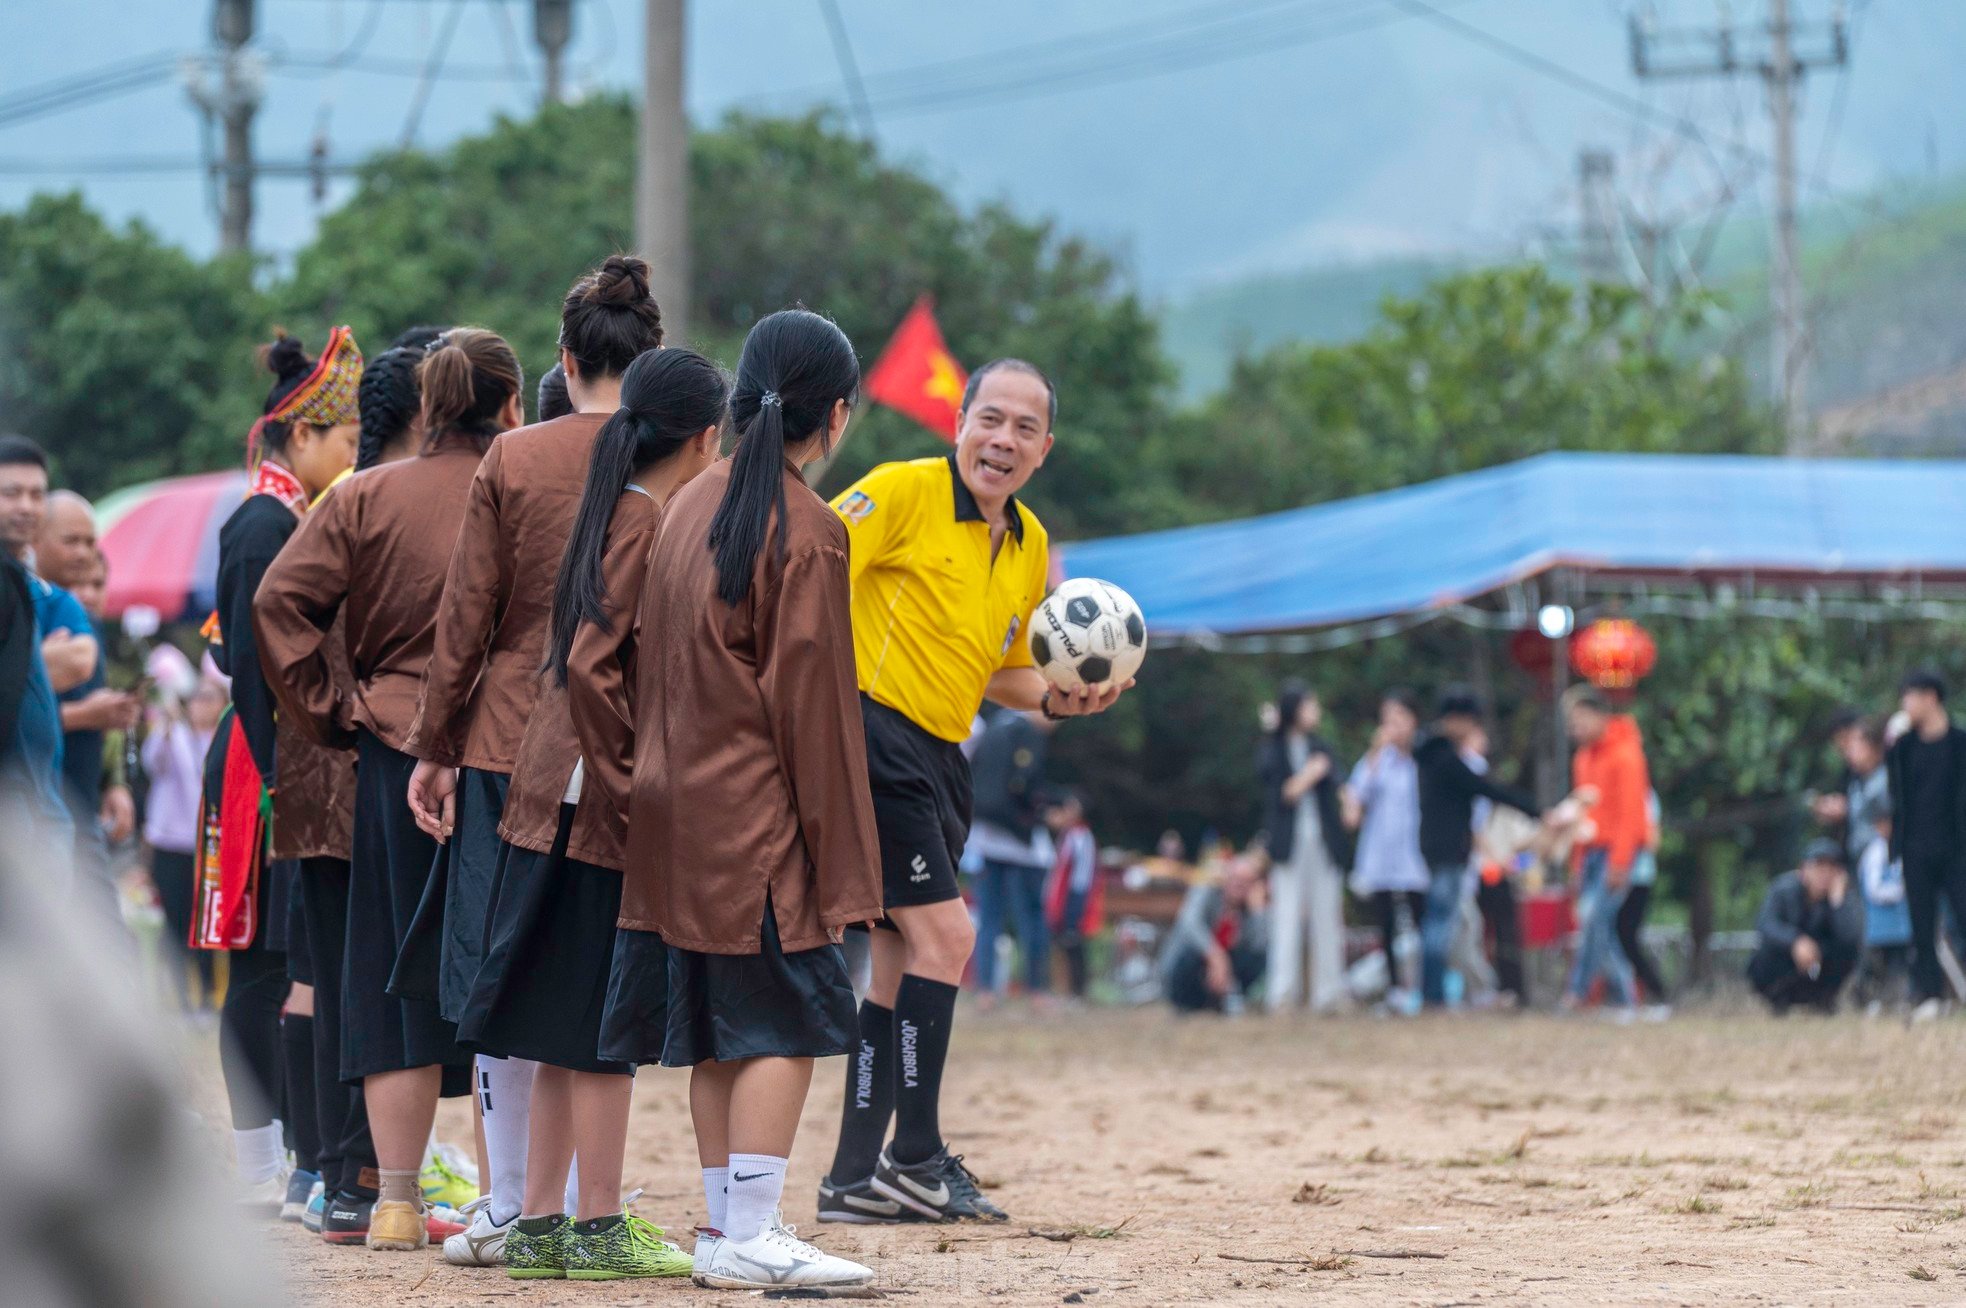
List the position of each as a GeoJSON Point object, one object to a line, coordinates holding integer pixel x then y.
{"type": "Point", "coordinates": [392, 862]}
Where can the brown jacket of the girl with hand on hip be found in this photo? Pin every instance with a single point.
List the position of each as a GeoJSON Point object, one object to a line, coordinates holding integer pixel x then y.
{"type": "Point", "coordinates": [375, 552]}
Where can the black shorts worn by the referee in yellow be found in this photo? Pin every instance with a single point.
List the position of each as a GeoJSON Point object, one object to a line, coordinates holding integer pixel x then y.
{"type": "Point", "coordinates": [921, 807]}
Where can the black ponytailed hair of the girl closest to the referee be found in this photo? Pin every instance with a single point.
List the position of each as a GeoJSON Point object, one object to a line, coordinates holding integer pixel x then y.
{"type": "Point", "coordinates": [795, 369]}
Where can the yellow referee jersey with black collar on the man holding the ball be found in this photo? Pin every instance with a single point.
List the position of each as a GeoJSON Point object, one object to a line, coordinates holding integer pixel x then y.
{"type": "Point", "coordinates": [933, 615]}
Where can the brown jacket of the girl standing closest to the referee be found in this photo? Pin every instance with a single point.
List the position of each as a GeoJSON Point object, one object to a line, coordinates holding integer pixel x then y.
{"type": "Point", "coordinates": [750, 782]}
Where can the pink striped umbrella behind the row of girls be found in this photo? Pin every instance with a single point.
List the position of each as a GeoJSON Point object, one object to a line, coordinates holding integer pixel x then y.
{"type": "Point", "coordinates": [162, 542]}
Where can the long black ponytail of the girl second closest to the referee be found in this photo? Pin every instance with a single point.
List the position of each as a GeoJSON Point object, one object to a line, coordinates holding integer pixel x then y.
{"type": "Point", "coordinates": [667, 400]}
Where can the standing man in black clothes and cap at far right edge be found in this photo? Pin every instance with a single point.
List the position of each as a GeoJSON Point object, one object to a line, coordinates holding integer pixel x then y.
{"type": "Point", "coordinates": [1928, 780]}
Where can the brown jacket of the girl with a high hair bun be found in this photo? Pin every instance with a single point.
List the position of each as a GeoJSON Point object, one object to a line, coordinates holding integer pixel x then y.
{"type": "Point", "coordinates": [483, 680]}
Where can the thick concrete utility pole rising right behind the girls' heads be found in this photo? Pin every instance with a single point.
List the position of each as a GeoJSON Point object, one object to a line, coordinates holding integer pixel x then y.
{"type": "Point", "coordinates": [664, 180]}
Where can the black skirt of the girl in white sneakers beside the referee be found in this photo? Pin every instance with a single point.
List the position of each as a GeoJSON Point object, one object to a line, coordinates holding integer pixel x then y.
{"type": "Point", "coordinates": [723, 1008]}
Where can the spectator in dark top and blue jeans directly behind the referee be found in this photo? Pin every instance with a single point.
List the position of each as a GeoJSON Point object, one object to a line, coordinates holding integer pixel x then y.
{"type": "Point", "coordinates": [1008, 780]}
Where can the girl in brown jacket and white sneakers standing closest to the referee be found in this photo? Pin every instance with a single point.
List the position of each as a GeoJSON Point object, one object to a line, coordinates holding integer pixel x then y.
{"type": "Point", "coordinates": [752, 839]}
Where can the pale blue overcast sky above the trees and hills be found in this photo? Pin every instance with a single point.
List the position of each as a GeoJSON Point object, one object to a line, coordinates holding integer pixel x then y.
{"type": "Point", "coordinates": [1196, 139]}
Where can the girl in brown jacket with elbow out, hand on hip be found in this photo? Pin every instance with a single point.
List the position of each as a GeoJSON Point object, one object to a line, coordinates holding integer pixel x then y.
{"type": "Point", "coordinates": [376, 556]}
